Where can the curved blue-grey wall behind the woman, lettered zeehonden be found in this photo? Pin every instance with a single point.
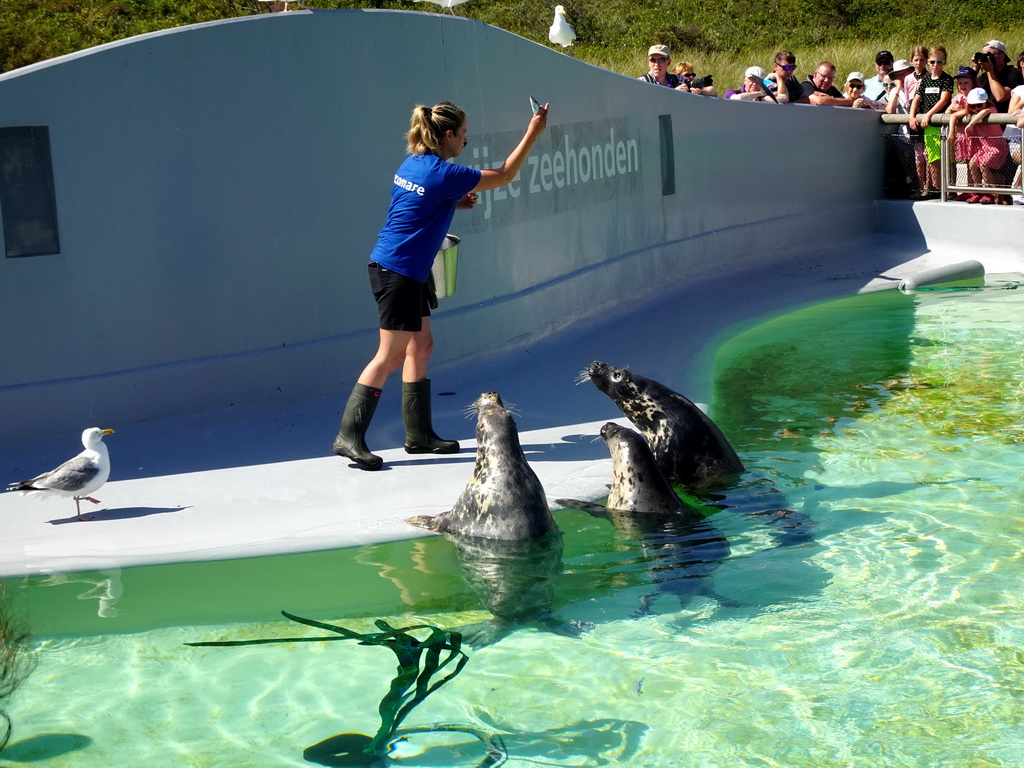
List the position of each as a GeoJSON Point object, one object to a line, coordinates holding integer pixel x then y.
{"type": "Point", "coordinates": [220, 187]}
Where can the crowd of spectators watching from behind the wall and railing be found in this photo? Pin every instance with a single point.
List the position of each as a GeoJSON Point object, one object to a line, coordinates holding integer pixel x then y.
{"type": "Point", "coordinates": [921, 88]}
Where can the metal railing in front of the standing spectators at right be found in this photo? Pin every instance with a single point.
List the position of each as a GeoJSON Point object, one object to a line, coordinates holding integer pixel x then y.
{"type": "Point", "coordinates": [956, 174]}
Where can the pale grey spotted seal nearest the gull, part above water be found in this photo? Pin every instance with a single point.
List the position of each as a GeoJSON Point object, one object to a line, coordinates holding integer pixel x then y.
{"type": "Point", "coordinates": [504, 500]}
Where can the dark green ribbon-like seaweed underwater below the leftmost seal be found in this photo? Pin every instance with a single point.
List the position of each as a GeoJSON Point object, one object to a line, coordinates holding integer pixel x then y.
{"type": "Point", "coordinates": [419, 661]}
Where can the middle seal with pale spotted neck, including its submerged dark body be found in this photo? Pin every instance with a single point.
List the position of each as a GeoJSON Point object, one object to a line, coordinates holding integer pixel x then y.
{"type": "Point", "coordinates": [681, 547]}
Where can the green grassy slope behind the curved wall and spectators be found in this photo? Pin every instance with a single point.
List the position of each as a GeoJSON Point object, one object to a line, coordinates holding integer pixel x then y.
{"type": "Point", "coordinates": [721, 39]}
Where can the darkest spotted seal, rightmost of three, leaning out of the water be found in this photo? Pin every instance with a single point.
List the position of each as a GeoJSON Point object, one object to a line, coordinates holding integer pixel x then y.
{"type": "Point", "coordinates": [689, 447]}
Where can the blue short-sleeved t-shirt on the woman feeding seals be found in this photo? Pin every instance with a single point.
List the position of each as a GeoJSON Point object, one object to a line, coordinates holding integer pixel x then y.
{"type": "Point", "coordinates": [423, 199]}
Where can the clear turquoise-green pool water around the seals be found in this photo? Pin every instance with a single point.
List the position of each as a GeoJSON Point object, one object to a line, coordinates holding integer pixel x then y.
{"type": "Point", "coordinates": [881, 622]}
